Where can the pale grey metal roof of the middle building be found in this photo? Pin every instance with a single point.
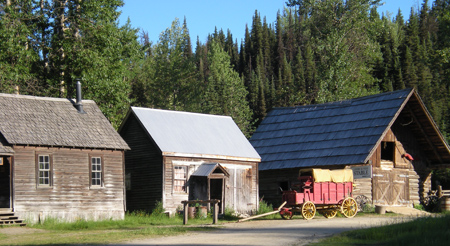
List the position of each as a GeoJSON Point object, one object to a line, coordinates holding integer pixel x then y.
{"type": "Point", "coordinates": [184, 133]}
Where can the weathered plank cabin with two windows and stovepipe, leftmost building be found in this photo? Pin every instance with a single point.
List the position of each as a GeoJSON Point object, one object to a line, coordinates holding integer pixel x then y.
{"type": "Point", "coordinates": [60, 159]}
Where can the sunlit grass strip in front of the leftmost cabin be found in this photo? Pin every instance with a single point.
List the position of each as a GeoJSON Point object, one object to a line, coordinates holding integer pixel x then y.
{"type": "Point", "coordinates": [134, 226]}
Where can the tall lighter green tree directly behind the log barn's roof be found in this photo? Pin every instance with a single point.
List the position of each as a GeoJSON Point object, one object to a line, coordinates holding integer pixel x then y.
{"type": "Point", "coordinates": [345, 49]}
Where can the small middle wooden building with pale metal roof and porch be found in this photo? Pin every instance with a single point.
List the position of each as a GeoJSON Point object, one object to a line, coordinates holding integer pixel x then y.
{"type": "Point", "coordinates": [177, 156]}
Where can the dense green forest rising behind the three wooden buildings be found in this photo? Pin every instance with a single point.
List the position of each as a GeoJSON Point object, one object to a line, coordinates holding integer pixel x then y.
{"type": "Point", "coordinates": [315, 52]}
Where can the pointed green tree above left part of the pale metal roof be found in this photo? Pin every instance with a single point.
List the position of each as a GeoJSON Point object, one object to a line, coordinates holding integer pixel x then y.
{"type": "Point", "coordinates": [172, 78]}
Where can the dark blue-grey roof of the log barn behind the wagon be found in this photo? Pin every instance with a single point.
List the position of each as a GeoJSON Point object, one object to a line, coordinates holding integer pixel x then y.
{"type": "Point", "coordinates": [341, 133]}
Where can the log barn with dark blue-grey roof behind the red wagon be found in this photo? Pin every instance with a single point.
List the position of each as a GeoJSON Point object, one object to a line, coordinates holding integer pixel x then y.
{"type": "Point", "coordinates": [389, 140]}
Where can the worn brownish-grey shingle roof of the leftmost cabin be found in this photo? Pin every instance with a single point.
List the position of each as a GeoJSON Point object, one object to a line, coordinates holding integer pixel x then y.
{"type": "Point", "coordinates": [44, 121]}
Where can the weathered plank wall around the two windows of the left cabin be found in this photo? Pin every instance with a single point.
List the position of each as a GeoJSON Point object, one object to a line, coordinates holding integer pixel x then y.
{"type": "Point", "coordinates": [70, 190]}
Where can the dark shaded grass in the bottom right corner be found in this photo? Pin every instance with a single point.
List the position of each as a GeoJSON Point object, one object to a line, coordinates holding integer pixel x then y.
{"type": "Point", "coordinates": [422, 231]}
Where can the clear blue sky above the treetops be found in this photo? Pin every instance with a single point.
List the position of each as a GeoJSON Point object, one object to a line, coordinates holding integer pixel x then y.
{"type": "Point", "coordinates": [202, 16]}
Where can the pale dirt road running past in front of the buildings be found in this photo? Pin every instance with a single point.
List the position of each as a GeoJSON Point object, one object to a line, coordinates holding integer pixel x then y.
{"type": "Point", "coordinates": [272, 232]}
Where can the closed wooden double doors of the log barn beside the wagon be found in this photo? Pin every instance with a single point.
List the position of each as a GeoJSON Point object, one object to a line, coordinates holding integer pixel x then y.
{"type": "Point", "coordinates": [390, 187]}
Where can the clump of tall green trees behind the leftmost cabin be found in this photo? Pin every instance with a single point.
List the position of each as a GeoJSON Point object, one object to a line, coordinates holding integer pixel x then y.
{"type": "Point", "coordinates": [45, 45]}
